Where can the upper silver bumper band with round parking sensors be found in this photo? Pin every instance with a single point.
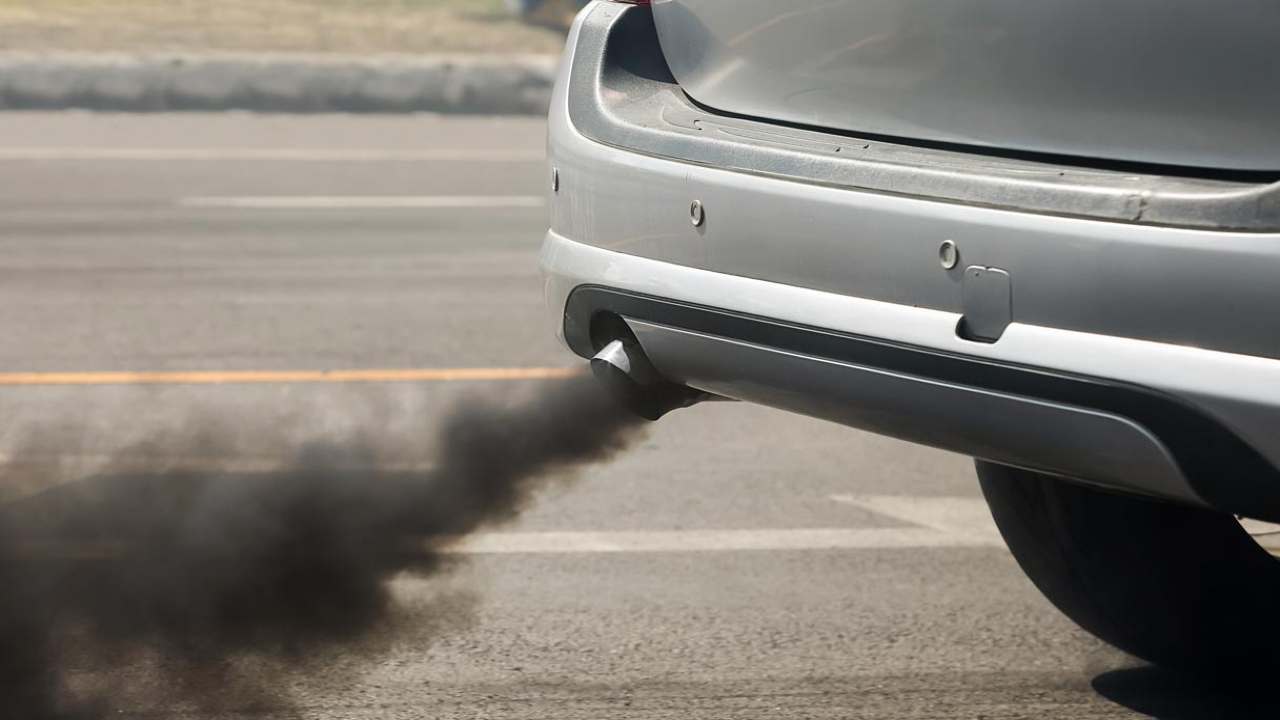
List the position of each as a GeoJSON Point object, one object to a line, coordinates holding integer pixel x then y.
{"type": "Point", "coordinates": [1168, 285]}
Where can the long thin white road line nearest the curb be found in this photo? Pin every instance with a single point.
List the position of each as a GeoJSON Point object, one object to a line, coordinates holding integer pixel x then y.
{"type": "Point", "coordinates": [292, 154]}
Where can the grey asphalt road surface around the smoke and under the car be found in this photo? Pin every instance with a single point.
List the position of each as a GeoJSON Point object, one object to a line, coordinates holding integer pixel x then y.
{"type": "Point", "coordinates": [738, 563]}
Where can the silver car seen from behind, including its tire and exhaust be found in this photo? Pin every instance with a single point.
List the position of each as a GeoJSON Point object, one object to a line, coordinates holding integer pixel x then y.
{"type": "Point", "coordinates": [1045, 235]}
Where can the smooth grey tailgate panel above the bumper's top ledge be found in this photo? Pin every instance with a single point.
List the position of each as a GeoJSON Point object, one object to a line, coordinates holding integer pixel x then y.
{"type": "Point", "coordinates": [1174, 83]}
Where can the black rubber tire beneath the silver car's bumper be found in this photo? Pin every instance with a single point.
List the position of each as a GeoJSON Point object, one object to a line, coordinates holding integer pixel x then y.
{"type": "Point", "coordinates": [1181, 587]}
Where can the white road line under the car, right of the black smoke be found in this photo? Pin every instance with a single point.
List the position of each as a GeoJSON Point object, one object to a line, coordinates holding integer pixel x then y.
{"type": "Point", "coordinates": [706, 541]}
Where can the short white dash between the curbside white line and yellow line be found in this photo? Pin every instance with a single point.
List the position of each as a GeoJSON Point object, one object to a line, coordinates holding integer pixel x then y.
{"type": "Point", "coordinates": [365, 203]}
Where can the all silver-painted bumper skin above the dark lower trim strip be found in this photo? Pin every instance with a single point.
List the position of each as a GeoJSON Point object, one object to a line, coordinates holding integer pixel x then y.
{"type": "Point", "coordinates": [1186, 312]}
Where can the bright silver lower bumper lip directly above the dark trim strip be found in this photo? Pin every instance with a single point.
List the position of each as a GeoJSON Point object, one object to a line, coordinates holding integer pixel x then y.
{"type": "Point", "coordinates": [1240, 391]}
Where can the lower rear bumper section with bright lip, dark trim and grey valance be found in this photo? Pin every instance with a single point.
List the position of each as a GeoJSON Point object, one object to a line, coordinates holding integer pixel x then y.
{"type": "Point", "coordinates": [1167, 434]}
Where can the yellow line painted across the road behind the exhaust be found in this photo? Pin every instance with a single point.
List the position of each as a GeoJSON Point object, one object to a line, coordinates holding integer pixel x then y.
{"type": "Point", "coordinates": [258, 377]}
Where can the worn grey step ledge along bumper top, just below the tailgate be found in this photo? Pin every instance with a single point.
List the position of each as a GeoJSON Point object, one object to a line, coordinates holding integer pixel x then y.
{"type": "Point", "coordinates": [621, 94]}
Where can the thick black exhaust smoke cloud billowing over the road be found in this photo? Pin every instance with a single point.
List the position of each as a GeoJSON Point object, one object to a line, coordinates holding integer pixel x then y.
{"type": "Point", "coordinates": [223, 584]}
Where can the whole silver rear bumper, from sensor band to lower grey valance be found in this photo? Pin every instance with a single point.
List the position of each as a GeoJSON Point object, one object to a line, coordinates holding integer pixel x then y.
{"type": "Point", "coordinates": [1139, 357]}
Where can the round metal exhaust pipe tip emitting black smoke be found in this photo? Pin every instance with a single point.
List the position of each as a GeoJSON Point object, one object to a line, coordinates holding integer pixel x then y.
{"type": "Point", "coordinates": [632, 380]}
